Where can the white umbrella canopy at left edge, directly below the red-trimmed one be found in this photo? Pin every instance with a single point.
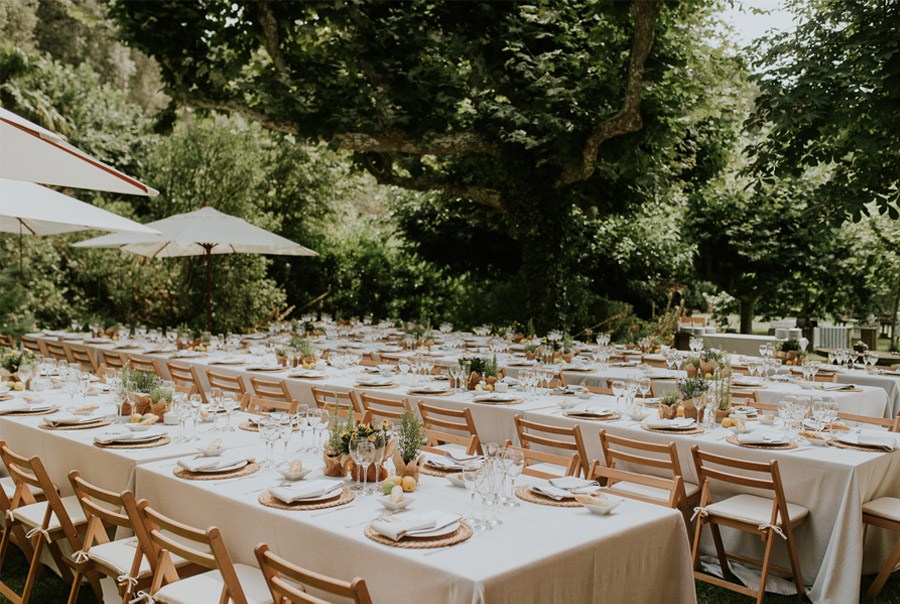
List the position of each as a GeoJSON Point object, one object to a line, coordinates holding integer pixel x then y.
{"type": "Point", "coordinates": [30, 208]}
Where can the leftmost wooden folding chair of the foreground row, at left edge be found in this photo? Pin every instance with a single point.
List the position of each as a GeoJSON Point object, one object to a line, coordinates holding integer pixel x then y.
{"type": "Point", "coordinates": [47, 523]}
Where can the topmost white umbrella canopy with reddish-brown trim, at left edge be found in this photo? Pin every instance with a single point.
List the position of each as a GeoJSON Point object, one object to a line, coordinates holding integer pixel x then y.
{"type": "Point", "coordinates": [31, 153]}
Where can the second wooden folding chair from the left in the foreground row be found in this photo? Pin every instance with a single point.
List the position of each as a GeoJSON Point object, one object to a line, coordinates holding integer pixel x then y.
{"type": "Point", "coordinates": [129, 561]}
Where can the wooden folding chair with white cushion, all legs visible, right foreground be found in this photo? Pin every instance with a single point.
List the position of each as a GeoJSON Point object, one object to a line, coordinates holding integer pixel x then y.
{"type": "Point", "coordinates": [769, 518]}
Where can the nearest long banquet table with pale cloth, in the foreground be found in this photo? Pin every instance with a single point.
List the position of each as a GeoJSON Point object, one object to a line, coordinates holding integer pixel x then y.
{"type": "Point", "coordinates": [539, 554]}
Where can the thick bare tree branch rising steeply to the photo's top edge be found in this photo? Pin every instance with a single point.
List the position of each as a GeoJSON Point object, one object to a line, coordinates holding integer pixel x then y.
{"type": "Point", "coordinates": [628, 118]}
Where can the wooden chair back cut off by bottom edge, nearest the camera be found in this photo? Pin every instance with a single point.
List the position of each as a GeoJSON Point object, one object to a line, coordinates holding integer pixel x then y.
{"type": "Point", "coordinates": [286, 581]}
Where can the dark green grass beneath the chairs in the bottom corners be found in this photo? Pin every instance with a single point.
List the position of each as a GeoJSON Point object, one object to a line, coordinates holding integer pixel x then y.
{"type": "Point", "coordinates": [50, 588]}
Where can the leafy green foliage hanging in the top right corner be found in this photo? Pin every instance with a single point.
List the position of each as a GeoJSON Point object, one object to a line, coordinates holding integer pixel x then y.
{"type": "Point", "coordinates": [829, 96]}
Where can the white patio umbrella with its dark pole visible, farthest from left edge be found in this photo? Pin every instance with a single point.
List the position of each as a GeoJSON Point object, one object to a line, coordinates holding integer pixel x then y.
{"type": "Point", "coordinates": [202, 232]}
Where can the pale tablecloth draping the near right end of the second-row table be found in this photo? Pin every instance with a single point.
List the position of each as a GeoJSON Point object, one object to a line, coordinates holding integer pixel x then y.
{"type": "Point", "coordinates": [833, 483]}
